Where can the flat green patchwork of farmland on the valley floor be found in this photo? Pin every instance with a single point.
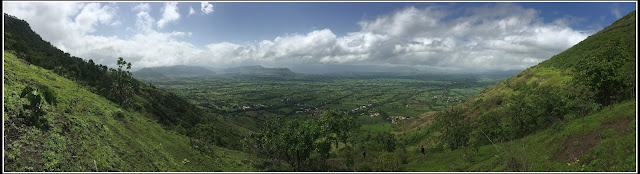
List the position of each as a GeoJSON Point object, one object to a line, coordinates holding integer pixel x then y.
{"type": "Point", "coordinates": [375, 98]}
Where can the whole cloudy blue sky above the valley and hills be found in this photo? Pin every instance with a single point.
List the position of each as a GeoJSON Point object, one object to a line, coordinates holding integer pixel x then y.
{"type": "Point", "coordinates": [462, 36]}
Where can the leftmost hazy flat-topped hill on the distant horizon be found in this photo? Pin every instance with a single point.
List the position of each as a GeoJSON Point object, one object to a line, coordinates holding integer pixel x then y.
{"type": "Point", "coordinates": [176, 71]}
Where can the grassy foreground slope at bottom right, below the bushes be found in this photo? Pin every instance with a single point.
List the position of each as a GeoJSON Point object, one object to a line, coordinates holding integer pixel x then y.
{"type": "Point", "coordinates": [604, 141]}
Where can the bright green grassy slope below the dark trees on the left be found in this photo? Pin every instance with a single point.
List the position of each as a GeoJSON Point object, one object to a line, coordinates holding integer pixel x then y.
{"type": "Point", "coordinates": [85, 129]}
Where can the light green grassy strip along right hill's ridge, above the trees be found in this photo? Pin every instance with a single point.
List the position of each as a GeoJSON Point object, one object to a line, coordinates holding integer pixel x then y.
{"type": "Point", "coordinates": [557, 71]}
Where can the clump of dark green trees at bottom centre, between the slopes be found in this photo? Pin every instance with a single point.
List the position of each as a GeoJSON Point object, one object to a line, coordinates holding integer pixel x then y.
{"type": "Point", "coordinates": [304, 145]}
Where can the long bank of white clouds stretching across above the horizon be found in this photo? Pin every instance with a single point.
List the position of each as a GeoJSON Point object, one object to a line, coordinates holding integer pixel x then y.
{"type": "Point", "coordinates": [501, 36]}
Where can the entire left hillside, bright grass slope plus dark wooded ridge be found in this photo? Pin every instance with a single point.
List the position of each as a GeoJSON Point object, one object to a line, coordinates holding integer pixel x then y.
{"type": "Point", "coordinates": [157, 112]}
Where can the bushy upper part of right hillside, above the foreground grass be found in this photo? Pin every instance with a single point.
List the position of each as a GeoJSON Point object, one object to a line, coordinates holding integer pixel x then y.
{"type": "Point", "coordinates": [594, 73]}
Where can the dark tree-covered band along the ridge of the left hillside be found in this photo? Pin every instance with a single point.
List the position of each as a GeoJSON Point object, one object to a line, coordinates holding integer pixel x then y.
{"type": "Point", "coordinates": [117, 85]}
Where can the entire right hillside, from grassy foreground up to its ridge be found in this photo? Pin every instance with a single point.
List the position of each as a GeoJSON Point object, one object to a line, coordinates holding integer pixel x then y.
{"type": "Point", "coordinates": [577, 108]}
